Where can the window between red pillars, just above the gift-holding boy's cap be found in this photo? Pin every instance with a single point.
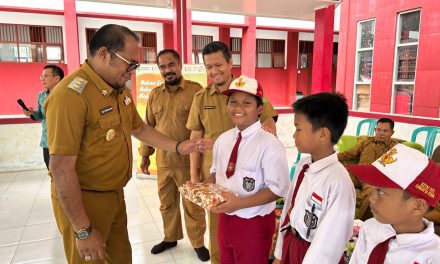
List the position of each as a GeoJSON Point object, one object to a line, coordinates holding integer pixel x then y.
{"type": "Point", "coordinates": [270, 53]}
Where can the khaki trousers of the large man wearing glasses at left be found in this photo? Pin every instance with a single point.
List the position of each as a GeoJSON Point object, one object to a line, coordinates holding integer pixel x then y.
{"type": "Point", "coordinates": [107, 214]}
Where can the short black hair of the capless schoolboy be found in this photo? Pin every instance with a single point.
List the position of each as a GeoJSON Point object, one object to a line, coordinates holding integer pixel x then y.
{"type": "Point", "coordinates": [328, 110]}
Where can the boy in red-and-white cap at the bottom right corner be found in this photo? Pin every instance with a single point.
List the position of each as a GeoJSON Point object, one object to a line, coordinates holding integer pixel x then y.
{"type": "Point", "coordinates": [407, 185]}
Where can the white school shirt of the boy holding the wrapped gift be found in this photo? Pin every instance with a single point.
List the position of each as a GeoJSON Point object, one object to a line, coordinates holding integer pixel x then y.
{"type": "Point", "coordinates": [261, 162]}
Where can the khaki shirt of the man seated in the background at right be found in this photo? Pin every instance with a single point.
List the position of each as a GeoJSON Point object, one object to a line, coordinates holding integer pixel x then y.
{"type": "Point", "coordinates": [367, 150]}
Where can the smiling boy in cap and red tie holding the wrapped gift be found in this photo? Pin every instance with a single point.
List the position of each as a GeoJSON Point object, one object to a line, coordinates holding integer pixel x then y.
{"type": "Point", "coordinates": [251, 163]}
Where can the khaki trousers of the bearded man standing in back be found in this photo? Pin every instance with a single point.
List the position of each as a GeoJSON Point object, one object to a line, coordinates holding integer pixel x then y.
{"type": "Point", "coordinates": [168, 182]}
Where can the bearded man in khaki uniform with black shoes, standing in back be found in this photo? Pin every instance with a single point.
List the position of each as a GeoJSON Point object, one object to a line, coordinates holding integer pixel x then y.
{"type": "Point", "coordinates": [167, 110]}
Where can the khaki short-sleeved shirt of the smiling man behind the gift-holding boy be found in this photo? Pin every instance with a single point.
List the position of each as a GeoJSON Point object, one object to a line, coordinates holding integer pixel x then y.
{"type": "Point", "coordinates": [208, 113]}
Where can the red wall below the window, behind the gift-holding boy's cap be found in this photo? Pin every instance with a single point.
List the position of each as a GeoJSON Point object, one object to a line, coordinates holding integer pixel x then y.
{"type": "Point", "coordinates": [273, 81]}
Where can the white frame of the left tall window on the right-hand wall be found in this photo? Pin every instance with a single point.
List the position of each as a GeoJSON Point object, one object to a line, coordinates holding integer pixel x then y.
{"type": "Point", "coordinates": [356, 82]}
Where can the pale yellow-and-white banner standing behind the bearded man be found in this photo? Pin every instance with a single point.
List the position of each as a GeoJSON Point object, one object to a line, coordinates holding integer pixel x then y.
{"type": "Point", "coordinates": [147, 78]}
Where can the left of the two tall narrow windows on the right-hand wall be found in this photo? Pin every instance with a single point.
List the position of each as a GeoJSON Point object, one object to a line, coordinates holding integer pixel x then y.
{"type": "Point", "coordinates": [364, 65]}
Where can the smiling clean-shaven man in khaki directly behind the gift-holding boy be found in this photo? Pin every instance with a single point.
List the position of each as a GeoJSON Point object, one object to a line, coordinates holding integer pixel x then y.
{"type": "Point", "coordinates": [208, 119]}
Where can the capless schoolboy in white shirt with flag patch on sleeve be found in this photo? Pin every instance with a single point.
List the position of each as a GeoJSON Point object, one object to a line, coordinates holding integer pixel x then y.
{"type": "Point", "coordinates": [317, 218]}
